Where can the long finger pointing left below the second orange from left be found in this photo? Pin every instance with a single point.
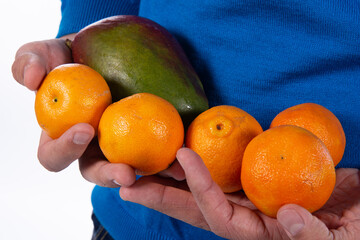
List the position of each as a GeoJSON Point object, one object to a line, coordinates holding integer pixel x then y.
{"type": "Point", "coordinates": [155, 193]}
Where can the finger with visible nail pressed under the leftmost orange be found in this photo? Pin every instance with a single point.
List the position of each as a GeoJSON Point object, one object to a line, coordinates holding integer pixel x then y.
{"type": "Point", "coordinates": [56, 155]}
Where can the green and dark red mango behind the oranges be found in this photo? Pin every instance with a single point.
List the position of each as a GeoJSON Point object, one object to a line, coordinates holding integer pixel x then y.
{"type": "Point", "coordinates": [135, 54]}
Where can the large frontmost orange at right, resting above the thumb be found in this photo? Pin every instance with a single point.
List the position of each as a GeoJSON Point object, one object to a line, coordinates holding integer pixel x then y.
{"type": "Point", "coordinates": [287, 164]}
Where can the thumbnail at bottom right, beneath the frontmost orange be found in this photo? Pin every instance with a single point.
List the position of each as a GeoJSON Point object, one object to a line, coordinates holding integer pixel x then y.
{"type": "Point", "coordinates": [291, 221]}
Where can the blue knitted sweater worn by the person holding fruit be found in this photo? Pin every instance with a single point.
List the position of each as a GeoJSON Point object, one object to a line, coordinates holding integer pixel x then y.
{"type": "Point", "coordinates": [262, 56]}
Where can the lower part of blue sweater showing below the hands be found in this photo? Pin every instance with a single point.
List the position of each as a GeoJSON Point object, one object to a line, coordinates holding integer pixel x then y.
{"type": "Point", "coordinates": [130, 221]}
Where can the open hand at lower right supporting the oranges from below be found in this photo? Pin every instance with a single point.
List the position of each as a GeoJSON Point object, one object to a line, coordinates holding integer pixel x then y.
{"type": "Point", "coordinates": [233, 216]}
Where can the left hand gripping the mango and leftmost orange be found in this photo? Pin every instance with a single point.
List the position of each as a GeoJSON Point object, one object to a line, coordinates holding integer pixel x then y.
{"type": "Point", "coordinates": [33, 61]}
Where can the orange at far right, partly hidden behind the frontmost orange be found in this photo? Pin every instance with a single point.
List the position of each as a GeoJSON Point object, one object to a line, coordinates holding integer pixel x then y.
{"type": "Point", "coordinates": [318, 120]}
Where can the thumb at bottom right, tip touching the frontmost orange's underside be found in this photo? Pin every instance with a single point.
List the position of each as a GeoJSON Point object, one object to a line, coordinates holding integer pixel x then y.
{"type": "Point", "coordinates": [301, 224]}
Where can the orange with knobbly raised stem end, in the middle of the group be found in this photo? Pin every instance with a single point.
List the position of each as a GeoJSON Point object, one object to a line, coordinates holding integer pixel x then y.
{"type": "Point", "coordinates": [219, 136]}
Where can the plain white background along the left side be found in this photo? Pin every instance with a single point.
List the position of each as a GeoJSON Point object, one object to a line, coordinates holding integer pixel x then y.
{"type": "Point", "coordinates": [34, 203]}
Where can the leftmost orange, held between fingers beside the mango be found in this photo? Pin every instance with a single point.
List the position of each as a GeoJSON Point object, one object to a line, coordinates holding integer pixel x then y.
{"type": "Point", "coordinates": [71, 94]}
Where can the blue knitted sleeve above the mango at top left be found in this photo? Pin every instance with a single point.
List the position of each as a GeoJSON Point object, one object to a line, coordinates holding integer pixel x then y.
{"type": "Point", "coordinates": [77, 14]}
